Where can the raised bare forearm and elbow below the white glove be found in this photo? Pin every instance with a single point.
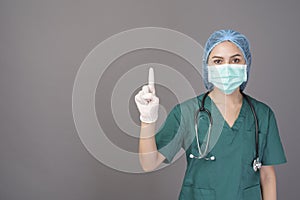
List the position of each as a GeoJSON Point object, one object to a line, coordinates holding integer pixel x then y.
{"type": "Point", "coordinates": [150, 158]}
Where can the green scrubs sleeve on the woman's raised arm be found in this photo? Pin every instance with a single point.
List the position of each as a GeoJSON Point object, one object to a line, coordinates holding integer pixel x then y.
{"type": "Point", "coordinates": [169, 136]}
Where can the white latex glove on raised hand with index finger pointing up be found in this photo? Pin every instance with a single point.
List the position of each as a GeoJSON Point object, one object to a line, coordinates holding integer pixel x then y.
{"type": "Point", "coordinates": [147, 102]}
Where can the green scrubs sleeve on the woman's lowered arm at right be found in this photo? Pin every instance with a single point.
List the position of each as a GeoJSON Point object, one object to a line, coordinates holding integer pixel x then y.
{"type": "Point", "coordinates": [273, 152]}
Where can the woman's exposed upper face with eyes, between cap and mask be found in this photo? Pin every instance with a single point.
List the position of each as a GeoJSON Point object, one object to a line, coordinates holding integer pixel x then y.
{"type": "Point", "coordinates": [226, 53]}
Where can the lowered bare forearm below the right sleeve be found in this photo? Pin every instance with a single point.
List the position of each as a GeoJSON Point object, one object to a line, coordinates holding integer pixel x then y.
{"type": "Point", "coordinates": [268, 182]}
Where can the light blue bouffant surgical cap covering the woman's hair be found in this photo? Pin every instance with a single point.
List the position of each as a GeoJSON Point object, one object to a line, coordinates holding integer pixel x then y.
{"type": "Point", "coordinates": [220, 36]}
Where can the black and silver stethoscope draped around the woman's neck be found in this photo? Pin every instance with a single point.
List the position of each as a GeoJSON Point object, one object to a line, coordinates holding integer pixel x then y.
{"type": "Point", "coordinates": [203, 154]}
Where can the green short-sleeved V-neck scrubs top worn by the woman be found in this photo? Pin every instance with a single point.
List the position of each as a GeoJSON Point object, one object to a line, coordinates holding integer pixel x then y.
{"type": "Point", "coordinates": [230, 176]}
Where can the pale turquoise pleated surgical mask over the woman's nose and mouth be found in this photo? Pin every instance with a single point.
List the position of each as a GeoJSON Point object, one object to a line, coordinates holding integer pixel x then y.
{"type": "Point", "coordinates": [227, 77]}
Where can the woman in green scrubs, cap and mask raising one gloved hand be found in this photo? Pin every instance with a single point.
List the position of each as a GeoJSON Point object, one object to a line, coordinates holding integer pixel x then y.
{"type": "Point", "coordinates": [225, 171]}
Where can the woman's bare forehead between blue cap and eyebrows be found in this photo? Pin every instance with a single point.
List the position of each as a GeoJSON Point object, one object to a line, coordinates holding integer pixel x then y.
{"type": "Point", "coordinates": [225, 48]}
